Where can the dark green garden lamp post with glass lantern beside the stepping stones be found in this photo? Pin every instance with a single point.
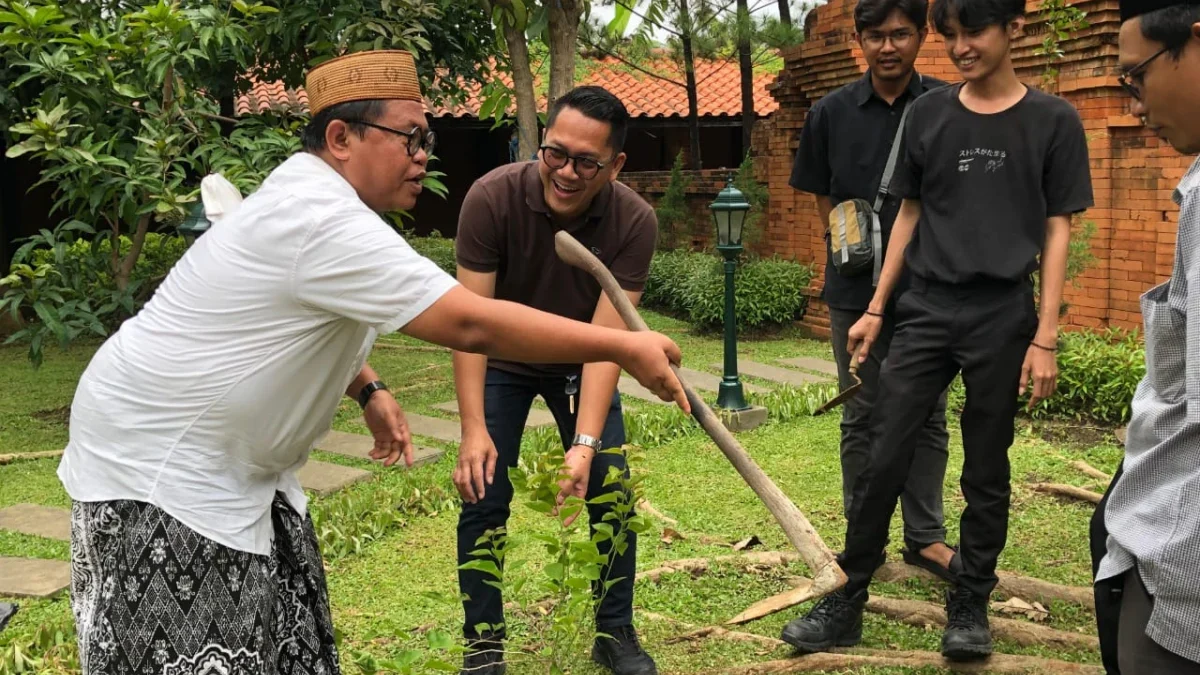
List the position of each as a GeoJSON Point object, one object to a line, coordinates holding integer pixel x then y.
{"type": "Point", "coordinates": [730, 212]}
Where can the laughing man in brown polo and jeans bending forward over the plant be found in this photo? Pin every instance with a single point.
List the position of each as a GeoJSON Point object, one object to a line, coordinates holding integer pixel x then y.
{"type": "Point", "coordinates": [506, 249]}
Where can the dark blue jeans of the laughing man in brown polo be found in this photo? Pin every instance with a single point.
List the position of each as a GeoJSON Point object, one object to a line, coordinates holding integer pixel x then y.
{"type": "Point", "coordinates": [507, 401]}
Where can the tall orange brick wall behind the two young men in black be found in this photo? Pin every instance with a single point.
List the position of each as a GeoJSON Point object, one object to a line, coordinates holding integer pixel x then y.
{"type": "Point", "coordinates": [1133, 172]}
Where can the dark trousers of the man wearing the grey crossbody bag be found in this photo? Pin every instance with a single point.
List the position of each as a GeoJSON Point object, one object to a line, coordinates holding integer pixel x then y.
{"type": "Point", "coordinates": [922, 499]}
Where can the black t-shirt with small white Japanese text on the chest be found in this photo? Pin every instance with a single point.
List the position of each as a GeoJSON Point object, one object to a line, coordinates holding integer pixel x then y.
{"type": "Point", "coordinates": [988, 183]}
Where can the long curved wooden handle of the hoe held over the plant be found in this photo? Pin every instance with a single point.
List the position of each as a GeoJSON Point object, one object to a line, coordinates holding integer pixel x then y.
{"type": "Point", "coordinates": [827, 577]}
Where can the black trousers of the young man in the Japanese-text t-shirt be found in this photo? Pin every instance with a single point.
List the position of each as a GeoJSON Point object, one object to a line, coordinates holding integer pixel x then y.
{"type": "Point", "coordinates": [983, 332]}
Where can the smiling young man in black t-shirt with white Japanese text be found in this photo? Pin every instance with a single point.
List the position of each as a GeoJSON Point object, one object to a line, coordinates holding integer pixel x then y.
{"type": "Point", "coordinates": [993, 172]}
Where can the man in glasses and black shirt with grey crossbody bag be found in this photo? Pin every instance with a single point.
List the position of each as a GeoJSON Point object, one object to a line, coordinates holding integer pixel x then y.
{"type": "Point", "coordinates": [844, 152]}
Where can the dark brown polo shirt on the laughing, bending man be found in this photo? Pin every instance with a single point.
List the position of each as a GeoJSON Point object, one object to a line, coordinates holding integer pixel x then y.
{"type": "Point", "coordinates": [506, 228]}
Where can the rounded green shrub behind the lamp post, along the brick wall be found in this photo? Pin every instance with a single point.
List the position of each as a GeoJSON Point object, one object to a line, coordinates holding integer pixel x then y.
{"type": "Point", "coordinates": [767, 294]}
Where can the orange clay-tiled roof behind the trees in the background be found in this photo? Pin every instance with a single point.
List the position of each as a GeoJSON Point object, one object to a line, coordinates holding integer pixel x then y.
{"type": "Point", "coordinates": [718, 89]}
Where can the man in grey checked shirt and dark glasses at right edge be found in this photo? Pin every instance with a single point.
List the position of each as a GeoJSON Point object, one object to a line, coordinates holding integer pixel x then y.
{"type": "Point", "coordinates": [1151, 512]}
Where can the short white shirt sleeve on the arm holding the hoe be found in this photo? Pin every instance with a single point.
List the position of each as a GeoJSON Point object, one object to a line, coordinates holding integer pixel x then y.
{"type": "Point", "coordinates": [358, 267]}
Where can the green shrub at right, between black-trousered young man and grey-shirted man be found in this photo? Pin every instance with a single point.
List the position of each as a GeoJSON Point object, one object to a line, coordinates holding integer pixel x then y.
{"type": "Point", "coordinates": [1099, 374]}
